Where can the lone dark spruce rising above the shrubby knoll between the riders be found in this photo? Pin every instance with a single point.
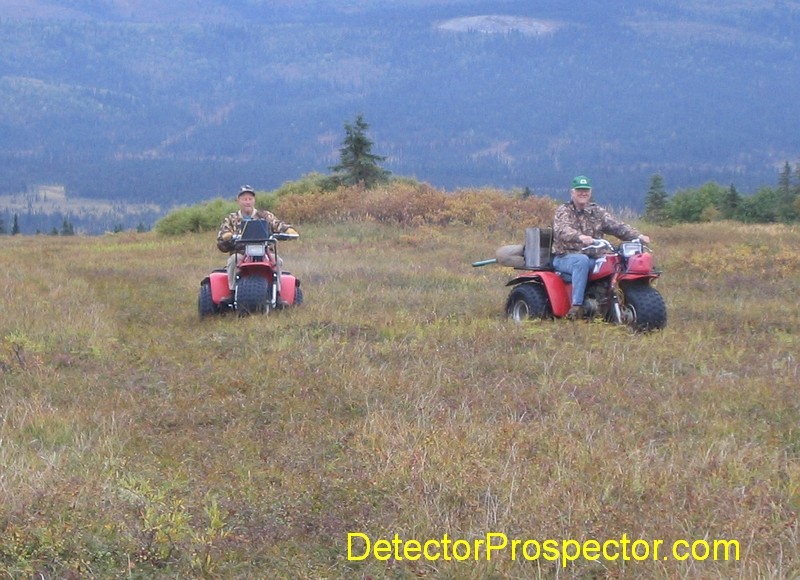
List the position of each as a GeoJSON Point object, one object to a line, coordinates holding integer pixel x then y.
{"type": "Point", "coordinates": [358, 165]}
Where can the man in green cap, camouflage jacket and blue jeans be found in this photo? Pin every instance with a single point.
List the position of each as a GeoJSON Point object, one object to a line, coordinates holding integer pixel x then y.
{"type": "Point", "coordinates": [576, 225]}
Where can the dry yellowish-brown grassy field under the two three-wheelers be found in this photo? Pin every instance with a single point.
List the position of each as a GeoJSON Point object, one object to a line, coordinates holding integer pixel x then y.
{"type": "Point", "coordinates": [137, 441]}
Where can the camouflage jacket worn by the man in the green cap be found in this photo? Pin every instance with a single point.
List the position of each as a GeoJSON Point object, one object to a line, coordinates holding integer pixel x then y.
{"type": "Point", "coordinates": [570, 223]}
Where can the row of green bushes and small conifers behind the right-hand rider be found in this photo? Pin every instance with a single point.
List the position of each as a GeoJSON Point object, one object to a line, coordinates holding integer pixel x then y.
{"type": "Point", "coordinates": [712, 202]}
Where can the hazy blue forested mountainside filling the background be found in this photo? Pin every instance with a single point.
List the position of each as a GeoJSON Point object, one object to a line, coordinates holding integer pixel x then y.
{"type": "Point", "coordinates": [175, 102]}
